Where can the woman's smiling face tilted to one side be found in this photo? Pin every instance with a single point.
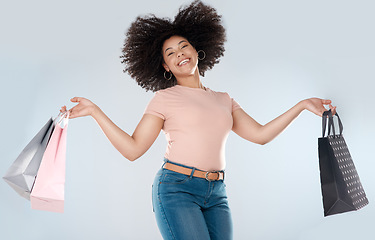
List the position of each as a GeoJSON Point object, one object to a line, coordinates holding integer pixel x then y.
{"type": "Point", "coordinates": [180, 57]}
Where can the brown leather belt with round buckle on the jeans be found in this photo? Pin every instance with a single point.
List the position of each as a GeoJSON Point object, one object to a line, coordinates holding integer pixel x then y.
{"type": "Point", "coordinates": [209, 176]}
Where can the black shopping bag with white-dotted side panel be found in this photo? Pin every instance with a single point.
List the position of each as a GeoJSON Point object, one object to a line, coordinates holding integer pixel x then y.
{"type": "Point", "coordinates": [341, 188]}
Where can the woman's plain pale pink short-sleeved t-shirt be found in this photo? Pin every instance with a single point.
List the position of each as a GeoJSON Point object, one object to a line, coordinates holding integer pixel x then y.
{"type": "Point", "coordinates": [196, 124]}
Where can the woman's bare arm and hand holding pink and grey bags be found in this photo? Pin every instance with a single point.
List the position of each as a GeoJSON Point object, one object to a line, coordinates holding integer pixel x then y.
{"type": "Point", "coordinates": [131, 147]}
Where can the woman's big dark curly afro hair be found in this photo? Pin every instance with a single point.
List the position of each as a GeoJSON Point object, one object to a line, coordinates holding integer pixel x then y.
{"type": "Point", "coordinates": [142, 52]}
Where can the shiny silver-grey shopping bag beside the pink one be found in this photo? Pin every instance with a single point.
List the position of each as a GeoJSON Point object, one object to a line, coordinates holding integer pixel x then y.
{"type": "Point", "coordinates": [21, 174]}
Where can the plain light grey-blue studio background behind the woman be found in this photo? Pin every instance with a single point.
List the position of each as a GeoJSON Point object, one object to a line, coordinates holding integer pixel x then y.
{"type": "Point", "coordinates": [277, 53]}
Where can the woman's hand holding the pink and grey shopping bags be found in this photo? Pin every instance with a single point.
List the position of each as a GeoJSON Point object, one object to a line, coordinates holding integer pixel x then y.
{"type": "Point", "coordinates": [84, 108]}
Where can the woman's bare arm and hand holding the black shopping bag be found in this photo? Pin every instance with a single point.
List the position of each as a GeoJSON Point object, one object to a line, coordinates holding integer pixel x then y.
{"type": "Point", "coordinates": [247, 128]}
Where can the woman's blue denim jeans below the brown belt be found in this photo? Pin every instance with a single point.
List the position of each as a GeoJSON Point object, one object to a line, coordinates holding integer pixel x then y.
{"type": "Point", "coordinates": [188, 207]}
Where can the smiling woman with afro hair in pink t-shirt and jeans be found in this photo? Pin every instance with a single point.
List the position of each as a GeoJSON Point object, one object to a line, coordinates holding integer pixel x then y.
{"type": "Point", "coordinates": [168, 57]}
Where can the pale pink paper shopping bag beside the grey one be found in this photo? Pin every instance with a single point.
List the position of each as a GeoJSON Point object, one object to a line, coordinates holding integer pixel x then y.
{"type": "Point", "coordinates": [48, 191]}
